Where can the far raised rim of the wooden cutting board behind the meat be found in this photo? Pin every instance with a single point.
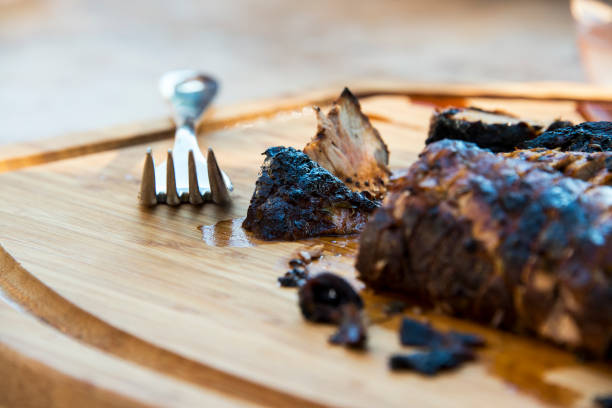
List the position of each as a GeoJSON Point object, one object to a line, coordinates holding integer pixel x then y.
{"type": "Point", "coordinates": [18, 155]}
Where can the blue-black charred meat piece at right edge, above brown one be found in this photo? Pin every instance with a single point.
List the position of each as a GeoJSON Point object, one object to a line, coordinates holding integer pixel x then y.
{"type": "Point", "coordinates": [586, 137]}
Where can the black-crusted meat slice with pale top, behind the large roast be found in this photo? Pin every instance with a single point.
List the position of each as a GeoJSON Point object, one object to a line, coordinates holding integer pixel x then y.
{"type": "Point", "coordinates": [495, 130]}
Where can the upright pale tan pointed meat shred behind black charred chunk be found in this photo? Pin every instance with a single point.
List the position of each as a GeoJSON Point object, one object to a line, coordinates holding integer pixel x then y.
{"type": "Point", "coordinates": [349, 147]}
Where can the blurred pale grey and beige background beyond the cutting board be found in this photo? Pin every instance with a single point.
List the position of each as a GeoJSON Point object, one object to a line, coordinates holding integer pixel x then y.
{"type": "Point", "coordinates": [69, 66]}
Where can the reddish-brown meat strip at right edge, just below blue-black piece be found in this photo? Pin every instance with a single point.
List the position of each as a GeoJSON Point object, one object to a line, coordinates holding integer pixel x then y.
{"type": "Point", "coordinates": [595, 168]}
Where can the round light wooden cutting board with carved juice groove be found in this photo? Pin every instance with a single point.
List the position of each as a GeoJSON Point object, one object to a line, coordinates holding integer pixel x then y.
{"type": "Point", "coordinates": [106, 303]}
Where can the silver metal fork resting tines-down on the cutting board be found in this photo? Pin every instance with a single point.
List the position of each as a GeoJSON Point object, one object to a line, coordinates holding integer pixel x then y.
{"type": "Point", "coordinates": [186, 176]}
